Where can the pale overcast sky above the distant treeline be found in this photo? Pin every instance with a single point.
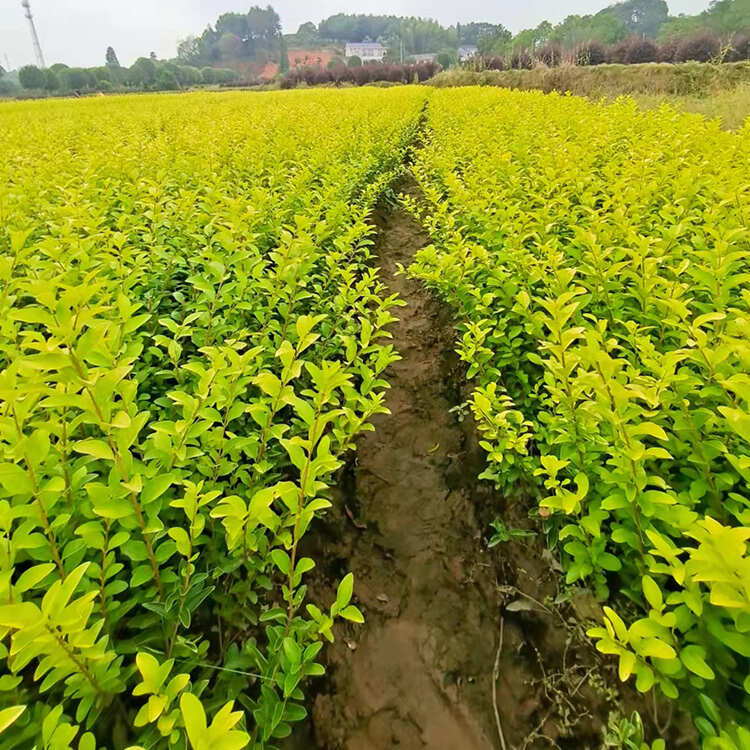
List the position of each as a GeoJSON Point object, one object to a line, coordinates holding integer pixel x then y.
{"type": "Point", "coordinates": [78, 32]}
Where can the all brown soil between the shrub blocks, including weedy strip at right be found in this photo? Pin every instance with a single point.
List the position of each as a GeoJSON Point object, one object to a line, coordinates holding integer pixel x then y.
{"type": "Point", "coordinates": [419, 673]}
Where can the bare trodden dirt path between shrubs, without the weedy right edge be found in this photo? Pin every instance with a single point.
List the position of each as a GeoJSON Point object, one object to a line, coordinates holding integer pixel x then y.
{"type": "Point", "coordinates": [418, 674]}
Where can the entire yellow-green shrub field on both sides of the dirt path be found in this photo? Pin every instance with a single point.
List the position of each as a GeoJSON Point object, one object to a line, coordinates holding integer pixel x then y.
{"type": "Point", "coordinates": [193, 333]}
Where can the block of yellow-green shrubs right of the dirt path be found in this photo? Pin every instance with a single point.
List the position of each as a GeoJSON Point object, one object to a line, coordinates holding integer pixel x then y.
{"type": "Point", "coordinates": [597, 258]}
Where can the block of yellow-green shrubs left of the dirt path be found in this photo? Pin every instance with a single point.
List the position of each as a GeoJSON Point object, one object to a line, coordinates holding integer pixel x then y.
{"type": "Point", "coordinates": [191, 338]}
